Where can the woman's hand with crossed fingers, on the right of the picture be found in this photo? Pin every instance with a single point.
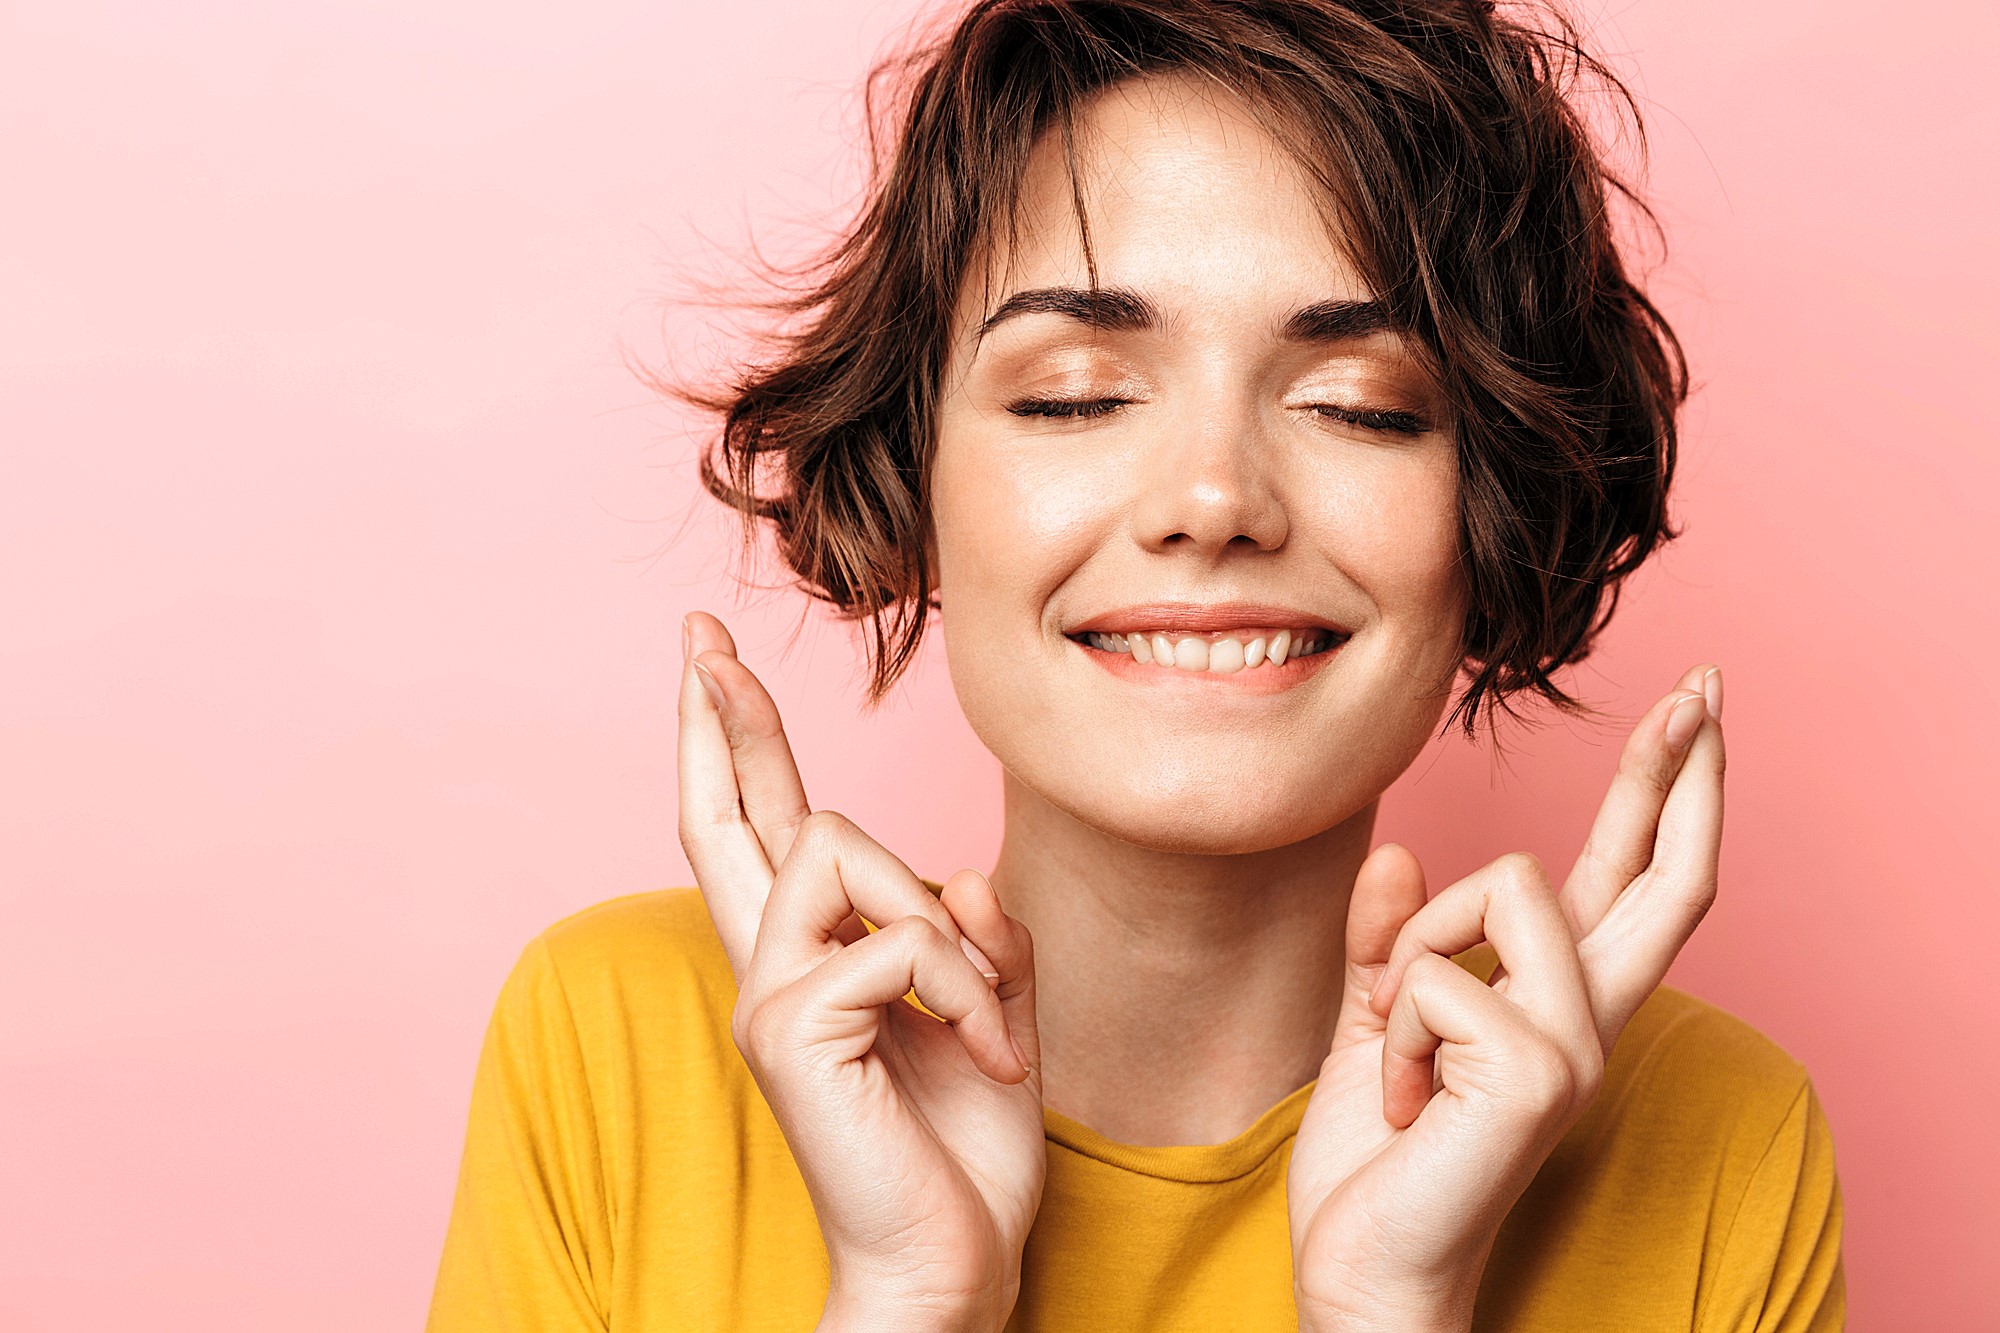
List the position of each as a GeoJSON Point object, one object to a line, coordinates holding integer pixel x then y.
{"type": "Point", "coordinates": [1401, 1178]}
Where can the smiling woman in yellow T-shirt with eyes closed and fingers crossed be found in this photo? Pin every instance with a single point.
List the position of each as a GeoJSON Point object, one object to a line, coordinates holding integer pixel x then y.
{"type": "Point", "coordinates": [1231, 375]}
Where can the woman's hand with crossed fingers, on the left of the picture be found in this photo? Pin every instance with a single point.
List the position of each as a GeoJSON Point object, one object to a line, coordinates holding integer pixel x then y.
{"type": "Point", "coordinates": [919, 1142]}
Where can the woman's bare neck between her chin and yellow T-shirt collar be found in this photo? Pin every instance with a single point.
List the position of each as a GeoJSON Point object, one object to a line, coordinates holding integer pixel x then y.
{"type": "Point", "coordinates": [1179, 996]}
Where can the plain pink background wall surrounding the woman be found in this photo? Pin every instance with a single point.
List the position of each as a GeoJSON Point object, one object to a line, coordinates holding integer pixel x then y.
{"type": "Point", "coordinates": [343, 565]}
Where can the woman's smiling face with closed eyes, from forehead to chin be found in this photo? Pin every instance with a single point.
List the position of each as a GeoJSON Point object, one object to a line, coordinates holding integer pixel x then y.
{"type": "Point", "coordinates": [1221, 455]}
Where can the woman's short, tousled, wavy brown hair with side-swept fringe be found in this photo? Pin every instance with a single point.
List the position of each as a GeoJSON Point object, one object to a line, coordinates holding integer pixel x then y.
{"type": "Point", "coordinates": [1473, 197]}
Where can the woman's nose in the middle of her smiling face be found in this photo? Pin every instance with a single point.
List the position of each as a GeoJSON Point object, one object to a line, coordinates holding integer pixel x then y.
{"type": "Point", "coordinates": [1209, 483]}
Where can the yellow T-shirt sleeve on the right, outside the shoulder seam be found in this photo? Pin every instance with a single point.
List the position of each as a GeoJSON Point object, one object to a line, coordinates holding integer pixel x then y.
{"type": "Point", "coordinates": [1781, 1268]}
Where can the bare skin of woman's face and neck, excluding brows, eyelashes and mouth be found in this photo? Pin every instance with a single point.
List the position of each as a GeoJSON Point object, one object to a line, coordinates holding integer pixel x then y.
{"type": "Point", "coordinates": [1185, 862]}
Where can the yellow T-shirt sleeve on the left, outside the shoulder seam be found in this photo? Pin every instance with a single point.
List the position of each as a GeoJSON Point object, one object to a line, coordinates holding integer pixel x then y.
{"type": "Point", "coordinates": [529, 1240]}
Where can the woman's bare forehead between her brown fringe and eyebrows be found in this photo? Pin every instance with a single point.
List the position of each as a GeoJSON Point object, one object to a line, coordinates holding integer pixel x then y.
{"type": "Point", "coordinates": [1187, 195]}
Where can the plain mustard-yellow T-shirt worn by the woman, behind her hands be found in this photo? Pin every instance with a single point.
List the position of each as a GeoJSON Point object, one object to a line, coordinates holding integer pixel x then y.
{"type": "Point", "coordinates": [623, 1172]}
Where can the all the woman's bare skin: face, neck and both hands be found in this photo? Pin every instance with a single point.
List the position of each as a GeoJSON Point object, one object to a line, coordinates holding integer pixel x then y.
{"type": "Point", "coordinates": [1203, 597]}
